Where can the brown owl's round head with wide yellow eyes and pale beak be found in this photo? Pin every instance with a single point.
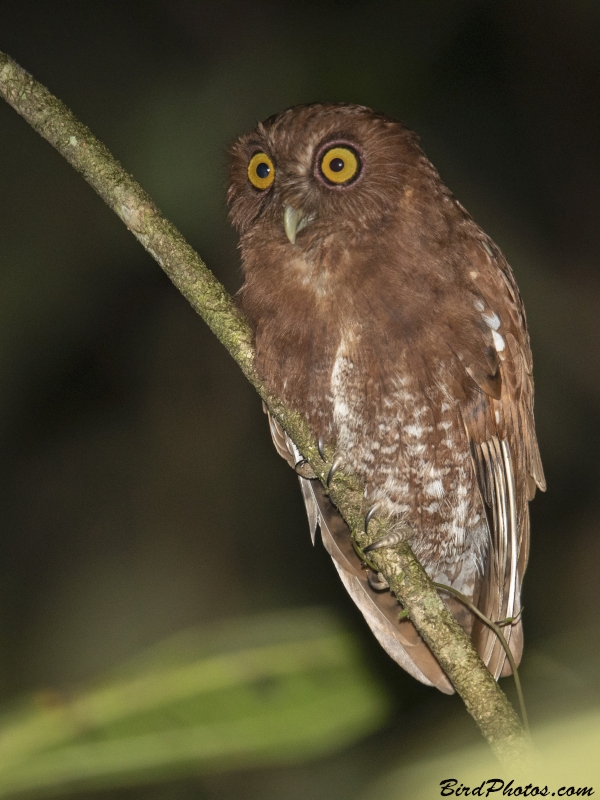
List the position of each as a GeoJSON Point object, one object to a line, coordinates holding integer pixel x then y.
{"type": "Point", "coordinates": [316, 173]}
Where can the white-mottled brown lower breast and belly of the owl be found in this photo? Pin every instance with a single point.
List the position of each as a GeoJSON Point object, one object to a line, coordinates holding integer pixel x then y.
{"type": "Point", "coordinates": [401, 433]}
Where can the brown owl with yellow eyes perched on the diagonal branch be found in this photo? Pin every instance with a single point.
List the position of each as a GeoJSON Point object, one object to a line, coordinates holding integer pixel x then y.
{"type": "Point", "coordinates": [387, 318]}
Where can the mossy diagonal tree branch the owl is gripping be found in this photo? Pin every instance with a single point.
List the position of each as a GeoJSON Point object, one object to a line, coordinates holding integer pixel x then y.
{"type": "Point", "coordinates": [55, 122]}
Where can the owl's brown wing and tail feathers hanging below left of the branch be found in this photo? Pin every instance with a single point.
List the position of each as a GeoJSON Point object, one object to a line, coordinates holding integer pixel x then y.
{"type": "Point", "coordinates": [399, 638]}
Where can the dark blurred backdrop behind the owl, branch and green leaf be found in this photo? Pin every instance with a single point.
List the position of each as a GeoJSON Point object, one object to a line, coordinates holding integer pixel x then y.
{"type": "Point", "coordinates": [140, 493]}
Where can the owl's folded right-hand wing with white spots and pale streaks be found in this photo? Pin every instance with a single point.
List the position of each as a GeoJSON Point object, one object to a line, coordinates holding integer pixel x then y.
{"type": "Point", "coordinates": [499, 423]}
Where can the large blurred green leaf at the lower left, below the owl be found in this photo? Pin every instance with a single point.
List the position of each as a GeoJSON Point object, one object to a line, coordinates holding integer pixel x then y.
{"type": "Point", "coordinates": [247, 692]}
